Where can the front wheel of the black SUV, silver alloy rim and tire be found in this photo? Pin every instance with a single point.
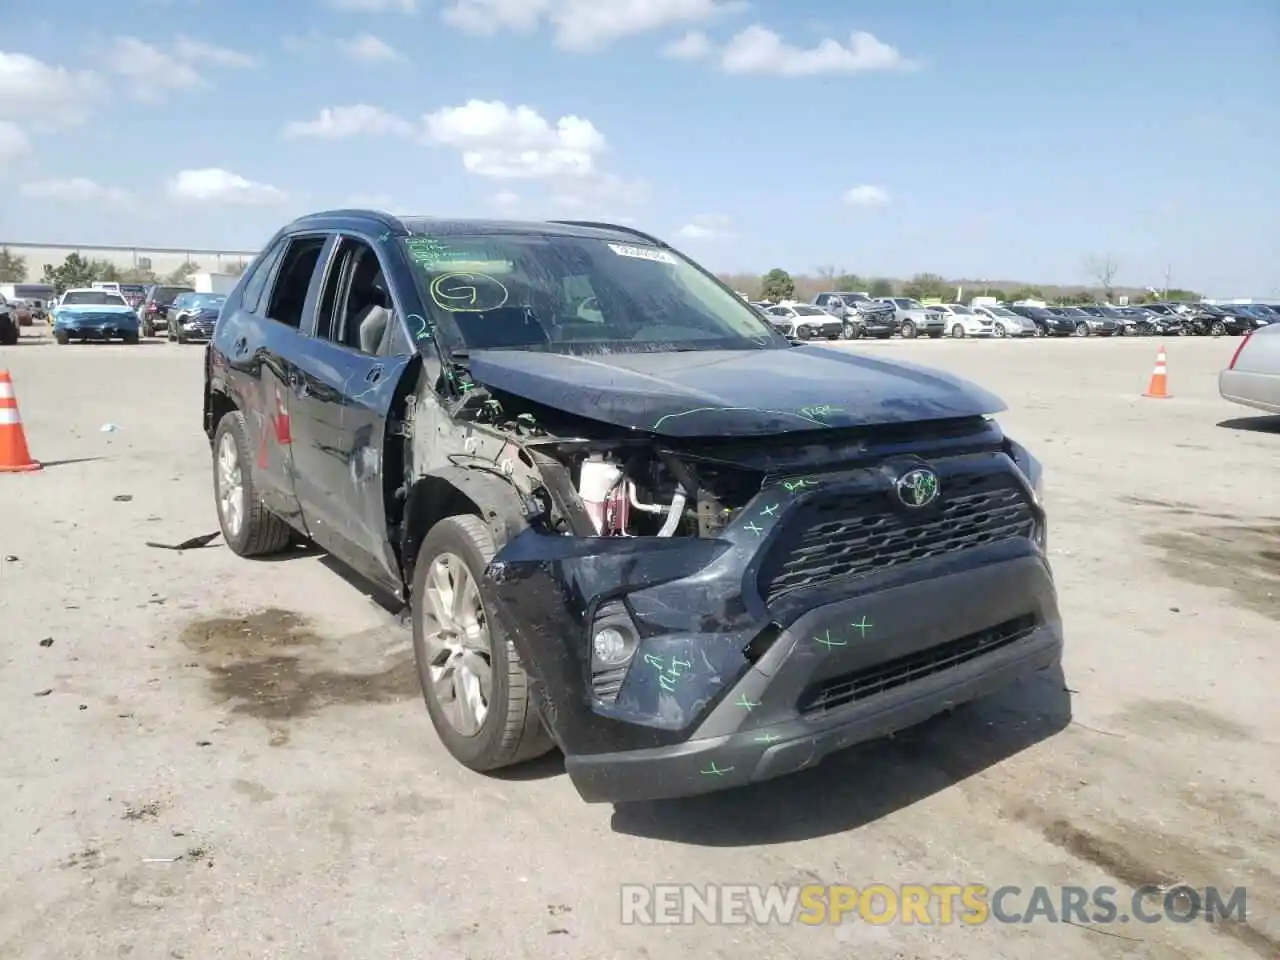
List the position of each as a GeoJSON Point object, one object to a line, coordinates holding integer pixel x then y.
{"type": "Point", "coordinates": [476, 688]}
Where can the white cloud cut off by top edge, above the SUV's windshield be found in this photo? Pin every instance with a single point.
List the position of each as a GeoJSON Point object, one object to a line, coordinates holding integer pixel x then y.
{"type": "Point", "coordinates": [583, 25]}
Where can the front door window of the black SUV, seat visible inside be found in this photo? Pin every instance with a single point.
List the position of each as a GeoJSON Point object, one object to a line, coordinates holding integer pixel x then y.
{"type": "Point", "coordinates": [356, 309]}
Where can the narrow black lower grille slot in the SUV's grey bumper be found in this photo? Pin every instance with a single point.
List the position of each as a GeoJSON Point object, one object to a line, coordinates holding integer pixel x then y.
{"type": "Point", "coordinates": [867, 683]}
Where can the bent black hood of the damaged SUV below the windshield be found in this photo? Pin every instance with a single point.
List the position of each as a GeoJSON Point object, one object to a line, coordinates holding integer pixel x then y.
{"type": "Point", "coordinates": [733, 394]}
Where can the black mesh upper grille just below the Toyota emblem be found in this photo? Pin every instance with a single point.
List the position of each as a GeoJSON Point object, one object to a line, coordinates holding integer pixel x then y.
{"type": "Point", "coordinates": [849, 536]}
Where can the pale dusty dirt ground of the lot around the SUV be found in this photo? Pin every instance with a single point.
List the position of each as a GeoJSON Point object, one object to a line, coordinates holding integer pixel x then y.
{"type": "Point", "coordinates": [207, 757]}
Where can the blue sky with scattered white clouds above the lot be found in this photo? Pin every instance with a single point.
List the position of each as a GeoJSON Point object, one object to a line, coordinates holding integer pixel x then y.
{"type": "Point", "coordinates": [991, 140]}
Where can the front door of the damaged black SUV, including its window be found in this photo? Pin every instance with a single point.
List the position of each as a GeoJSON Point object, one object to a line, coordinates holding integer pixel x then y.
{"type": "Point", "coordinates": [353, 371]}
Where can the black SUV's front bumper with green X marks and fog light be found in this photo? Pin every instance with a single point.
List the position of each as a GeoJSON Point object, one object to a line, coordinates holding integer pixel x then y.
{"type": "Point", "coordinates": [738, 680]}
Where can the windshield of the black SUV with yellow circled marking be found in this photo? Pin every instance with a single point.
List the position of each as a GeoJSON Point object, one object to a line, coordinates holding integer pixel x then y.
{"type": "Point", "coordinates": [578, 295]}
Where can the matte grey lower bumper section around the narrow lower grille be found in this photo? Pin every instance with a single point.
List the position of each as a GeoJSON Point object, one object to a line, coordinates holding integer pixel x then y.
{"type": "Point", "coordinates": [756, 733]}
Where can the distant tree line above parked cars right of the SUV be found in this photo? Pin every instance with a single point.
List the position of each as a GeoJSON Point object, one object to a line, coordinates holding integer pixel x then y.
{"type": "Point", "coordinates": [779, 285]}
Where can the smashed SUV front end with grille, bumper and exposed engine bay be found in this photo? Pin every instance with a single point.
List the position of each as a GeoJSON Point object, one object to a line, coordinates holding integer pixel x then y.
{"type": "Point", "coordinates": [688, 609]}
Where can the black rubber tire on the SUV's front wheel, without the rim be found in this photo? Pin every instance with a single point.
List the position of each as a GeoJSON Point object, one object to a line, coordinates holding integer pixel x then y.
{"type": "Point", "coordinates": [511, 732]}
